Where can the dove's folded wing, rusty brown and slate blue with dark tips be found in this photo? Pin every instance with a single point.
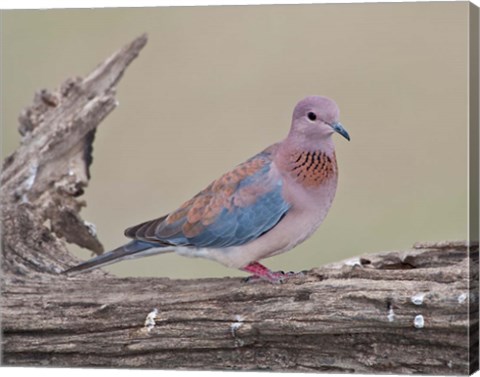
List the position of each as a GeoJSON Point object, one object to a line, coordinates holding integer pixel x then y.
{"type": "Point", "coordinates": [237, 208]}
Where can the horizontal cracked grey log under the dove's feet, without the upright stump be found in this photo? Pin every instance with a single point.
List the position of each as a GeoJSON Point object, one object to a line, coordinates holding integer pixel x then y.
{"type": "Point", "coordinates": [392, 312]}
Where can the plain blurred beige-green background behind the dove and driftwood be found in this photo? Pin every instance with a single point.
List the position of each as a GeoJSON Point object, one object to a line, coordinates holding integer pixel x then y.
{"type": "Point", "coordinates": [215, 85]}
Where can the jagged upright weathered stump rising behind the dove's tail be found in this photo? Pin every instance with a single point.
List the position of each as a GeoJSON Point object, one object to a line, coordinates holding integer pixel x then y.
{"type": "Point", "coordinates": [42, 180]}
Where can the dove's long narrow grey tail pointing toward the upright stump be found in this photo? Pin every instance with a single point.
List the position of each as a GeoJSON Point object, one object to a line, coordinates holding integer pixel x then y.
{"type": "Point", "coordinates": [131, 250]}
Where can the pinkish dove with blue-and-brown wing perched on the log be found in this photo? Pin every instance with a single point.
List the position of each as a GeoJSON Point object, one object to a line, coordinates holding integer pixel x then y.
{"type": "Point", "coordinates": [263, 207]}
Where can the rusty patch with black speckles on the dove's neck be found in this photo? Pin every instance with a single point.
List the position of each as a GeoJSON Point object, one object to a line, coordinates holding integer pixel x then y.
{"type": "Point", "coordinates": [312, 168]}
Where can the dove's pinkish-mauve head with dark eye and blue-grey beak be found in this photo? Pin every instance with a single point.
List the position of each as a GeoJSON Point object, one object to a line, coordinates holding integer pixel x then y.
{"type": "Point", "coordinates": [315, 119]}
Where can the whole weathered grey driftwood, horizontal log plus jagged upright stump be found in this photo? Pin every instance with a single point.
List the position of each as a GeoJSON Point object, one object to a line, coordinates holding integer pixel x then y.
{"type": "Point", "coordinates": [395, 312]}
